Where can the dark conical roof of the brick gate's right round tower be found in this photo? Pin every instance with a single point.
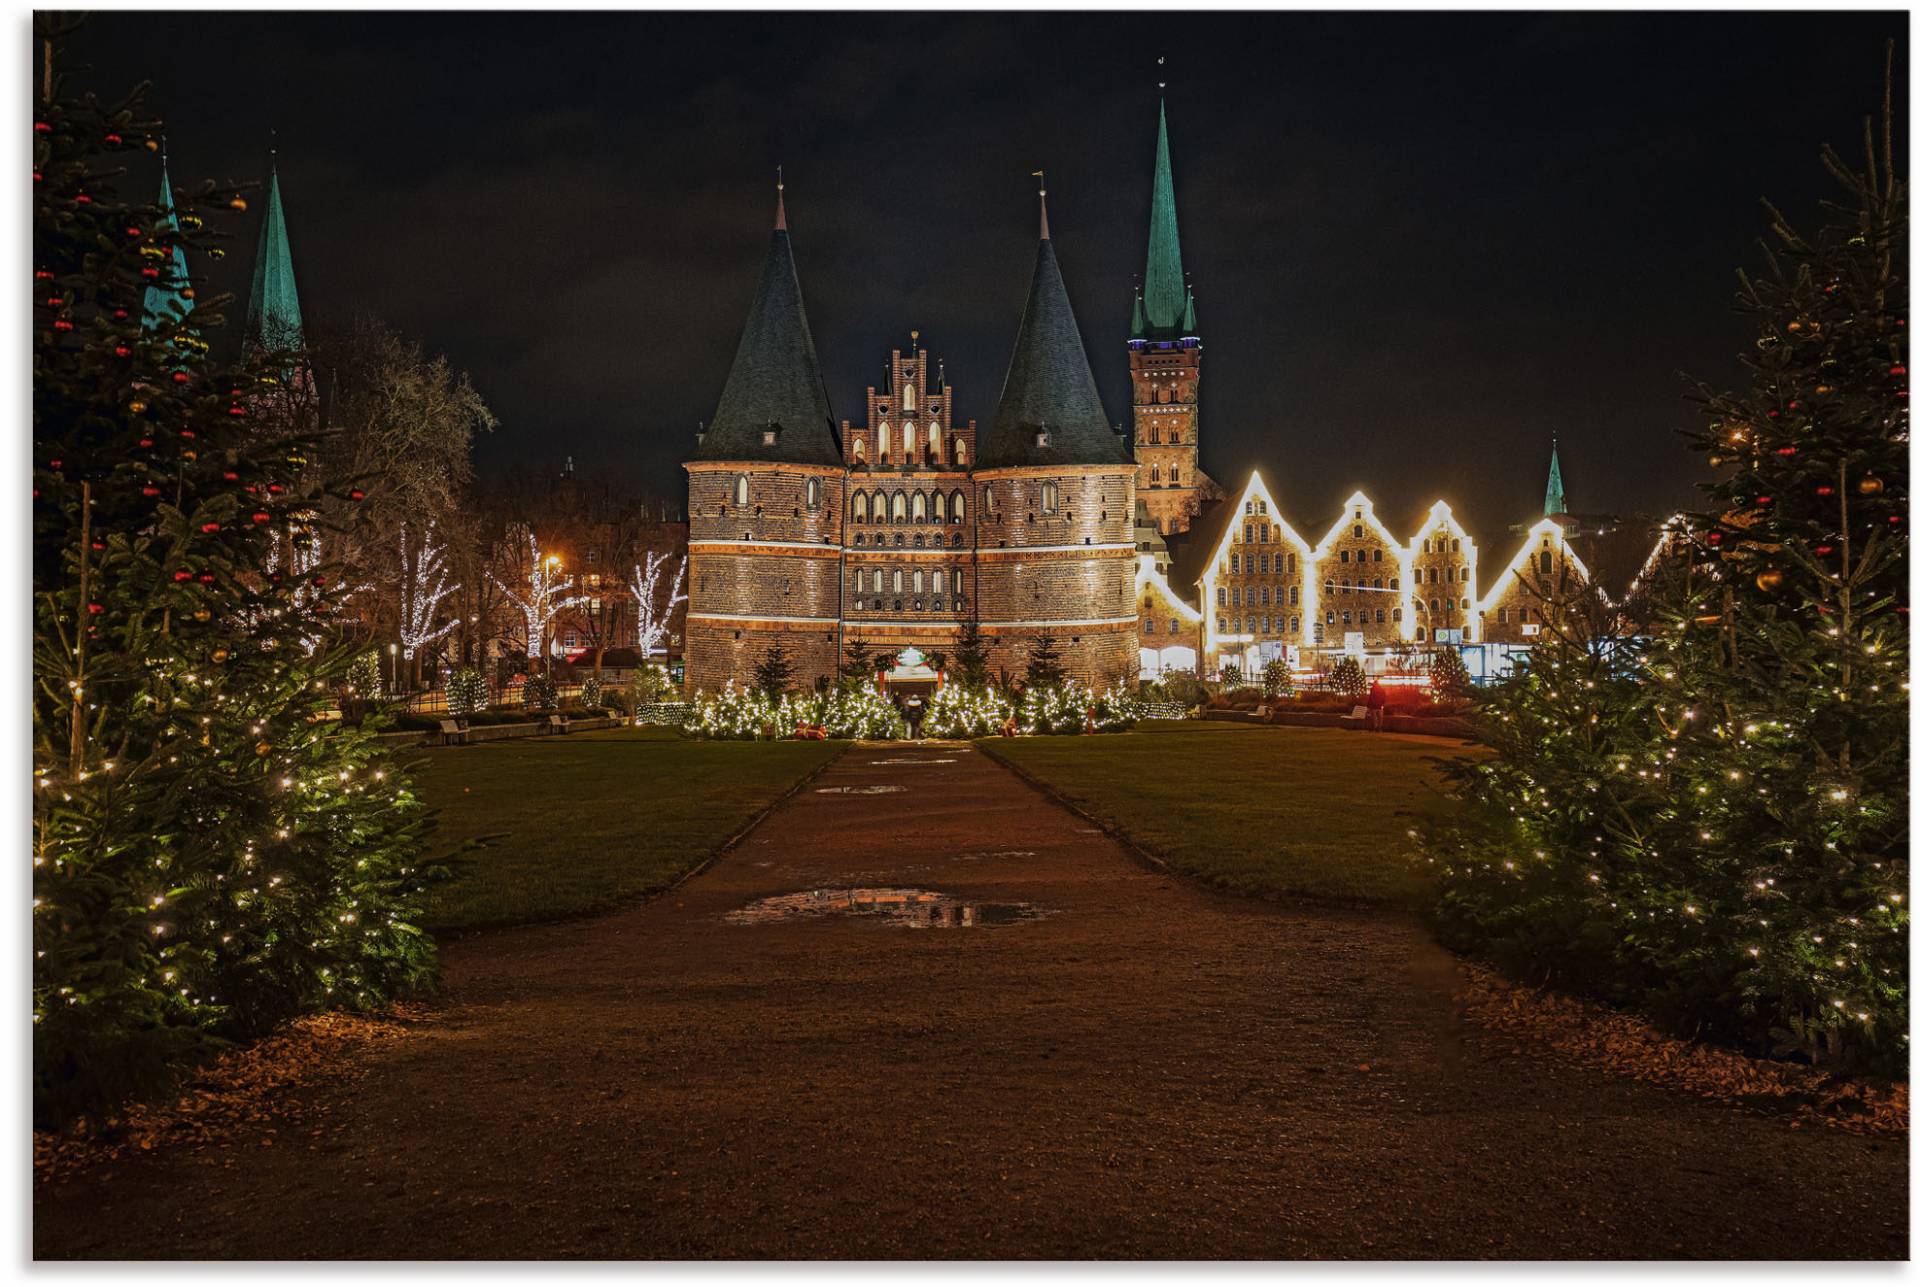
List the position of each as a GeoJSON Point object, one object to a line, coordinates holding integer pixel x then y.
{"type": "Point", "coordinates": [1049, 385]}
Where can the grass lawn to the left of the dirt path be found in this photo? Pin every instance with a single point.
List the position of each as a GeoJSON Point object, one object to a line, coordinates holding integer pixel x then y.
{"type": "Point", "coordinates": [590, 821]}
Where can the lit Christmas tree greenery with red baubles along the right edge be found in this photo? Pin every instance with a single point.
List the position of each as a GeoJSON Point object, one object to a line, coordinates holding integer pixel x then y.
{"type": "Point", "coordinates": [1704, 813]}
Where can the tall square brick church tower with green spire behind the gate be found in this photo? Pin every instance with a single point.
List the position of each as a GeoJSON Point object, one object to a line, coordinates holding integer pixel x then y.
{"type": "Point", "coordinates": [1164, 362]}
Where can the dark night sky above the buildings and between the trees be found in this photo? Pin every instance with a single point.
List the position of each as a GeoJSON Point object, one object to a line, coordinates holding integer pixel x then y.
{"type": "Point", "coordinates": [1420, 243]}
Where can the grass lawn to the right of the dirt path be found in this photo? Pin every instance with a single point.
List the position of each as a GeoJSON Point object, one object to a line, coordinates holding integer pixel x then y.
{"type": "Point", "coordinates": [1259, 810]}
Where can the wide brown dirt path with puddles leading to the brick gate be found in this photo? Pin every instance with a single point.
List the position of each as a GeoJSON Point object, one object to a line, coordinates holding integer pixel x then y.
{"type": "Point", "coordinates": [1145, 1071]}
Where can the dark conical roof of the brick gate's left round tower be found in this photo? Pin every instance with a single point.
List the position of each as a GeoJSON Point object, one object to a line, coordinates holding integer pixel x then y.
{"type": "Point", "coordinates": [777, 377]}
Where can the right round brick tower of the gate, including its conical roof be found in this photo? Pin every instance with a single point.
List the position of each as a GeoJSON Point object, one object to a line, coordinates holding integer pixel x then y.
{"type": "Point", "coordinates": [1055, 500]}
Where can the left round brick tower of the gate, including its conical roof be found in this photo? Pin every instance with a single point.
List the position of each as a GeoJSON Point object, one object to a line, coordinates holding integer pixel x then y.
{"type": "Point", "coordinates": [765, 498]}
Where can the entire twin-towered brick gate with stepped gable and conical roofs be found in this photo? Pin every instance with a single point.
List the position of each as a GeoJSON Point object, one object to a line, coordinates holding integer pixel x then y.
{"type": "Point", "coordinates": [907, 527]}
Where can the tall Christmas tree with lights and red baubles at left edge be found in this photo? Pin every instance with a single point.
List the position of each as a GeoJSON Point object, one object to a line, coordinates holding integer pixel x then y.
{"type": "Point", "coordinates": [212, 854]}
